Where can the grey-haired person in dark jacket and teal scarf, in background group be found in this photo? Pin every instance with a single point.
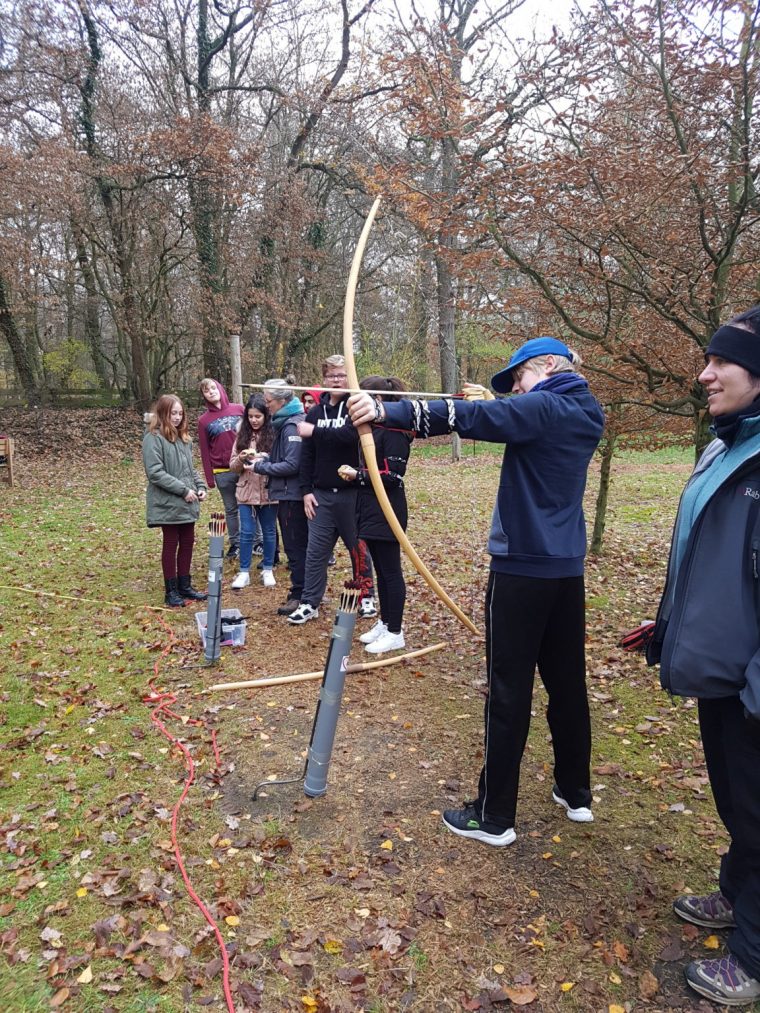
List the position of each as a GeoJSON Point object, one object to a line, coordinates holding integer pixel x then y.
{"type": "Point", "coordinates": [282, 470]}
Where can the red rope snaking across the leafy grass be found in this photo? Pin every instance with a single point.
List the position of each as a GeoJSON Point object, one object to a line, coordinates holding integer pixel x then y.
{"type": "Point", "coordinates": [164, 702]}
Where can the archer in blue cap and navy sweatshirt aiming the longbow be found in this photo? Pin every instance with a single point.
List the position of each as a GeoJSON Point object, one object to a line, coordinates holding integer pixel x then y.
{"type": "Point", "coordinates": [536, 603]}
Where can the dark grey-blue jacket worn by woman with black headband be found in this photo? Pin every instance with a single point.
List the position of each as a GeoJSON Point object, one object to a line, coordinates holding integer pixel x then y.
{"type": "Point", "coordinates": [707, 637]}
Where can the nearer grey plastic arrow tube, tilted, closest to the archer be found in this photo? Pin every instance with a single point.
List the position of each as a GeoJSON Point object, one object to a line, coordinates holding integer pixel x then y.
{"type": "Point", "coordinates": [329, 707]}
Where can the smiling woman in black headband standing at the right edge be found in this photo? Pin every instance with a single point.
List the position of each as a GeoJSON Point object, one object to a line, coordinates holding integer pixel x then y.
{"type": "Point", "coordinates": [707, 640]}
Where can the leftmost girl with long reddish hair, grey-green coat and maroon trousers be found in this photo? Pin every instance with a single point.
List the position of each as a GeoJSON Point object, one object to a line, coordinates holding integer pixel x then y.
{"type": "Point", "coordinates": [175, 492]}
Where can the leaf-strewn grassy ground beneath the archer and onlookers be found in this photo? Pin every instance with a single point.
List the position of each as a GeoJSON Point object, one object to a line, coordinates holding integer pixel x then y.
{"type": "Point", "coordinates": [360, 900]}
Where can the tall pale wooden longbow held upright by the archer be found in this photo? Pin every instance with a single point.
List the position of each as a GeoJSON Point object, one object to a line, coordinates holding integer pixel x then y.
{"type": "Point", "coordinates": [365, 432]}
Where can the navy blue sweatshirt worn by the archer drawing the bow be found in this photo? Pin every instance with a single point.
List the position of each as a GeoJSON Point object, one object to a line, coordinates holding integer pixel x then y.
{"type": "Point", "coordinates": [552, 433]}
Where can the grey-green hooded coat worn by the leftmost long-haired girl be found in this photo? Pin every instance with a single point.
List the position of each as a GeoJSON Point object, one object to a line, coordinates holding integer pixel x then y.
{"type": "Point", "coordinates": [171, 477]}
